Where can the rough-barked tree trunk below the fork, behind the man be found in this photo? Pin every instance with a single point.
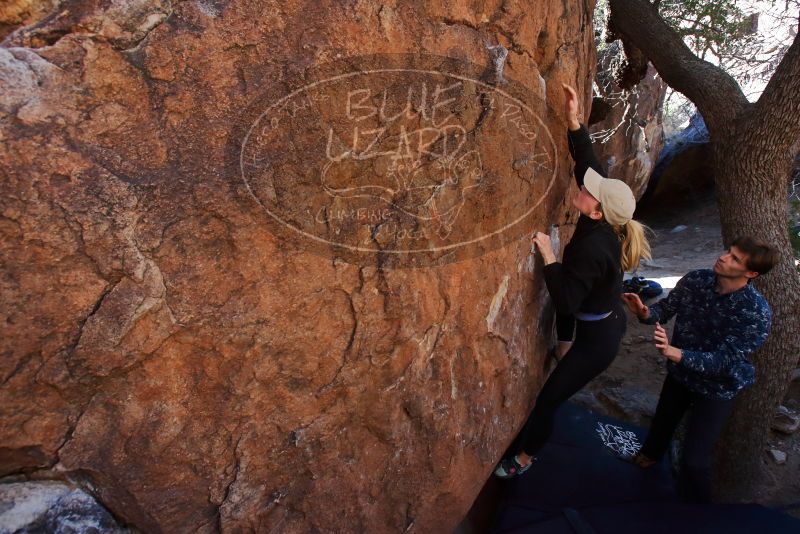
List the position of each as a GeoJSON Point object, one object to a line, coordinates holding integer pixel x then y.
{"type": "Point", "coordinates": [751, 194]}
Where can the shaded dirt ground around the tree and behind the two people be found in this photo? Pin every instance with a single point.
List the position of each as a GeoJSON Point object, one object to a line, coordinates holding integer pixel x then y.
{"type": "Point", "coordinates": [630, 387]}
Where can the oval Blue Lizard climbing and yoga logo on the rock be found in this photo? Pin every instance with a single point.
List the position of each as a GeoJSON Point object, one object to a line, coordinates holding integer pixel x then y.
{"type": "Point", "coordinates": [391, 160]}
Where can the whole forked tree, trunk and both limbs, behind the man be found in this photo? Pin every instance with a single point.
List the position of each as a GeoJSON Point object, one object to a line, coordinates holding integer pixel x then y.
{"type": "Point", "coordinates": [752, 158]}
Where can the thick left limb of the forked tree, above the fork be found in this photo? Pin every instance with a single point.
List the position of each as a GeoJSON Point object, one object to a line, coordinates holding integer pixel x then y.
{"type": "Point", "coordinates": [715, 93]}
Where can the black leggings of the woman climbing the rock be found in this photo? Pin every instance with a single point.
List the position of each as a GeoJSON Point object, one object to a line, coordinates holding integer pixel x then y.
{"type": "Point", "coordinates": [595, 347]}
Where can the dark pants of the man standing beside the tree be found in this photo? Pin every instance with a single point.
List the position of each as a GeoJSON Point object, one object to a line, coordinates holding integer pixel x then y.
{"type": "Point", "coordinates": [707, 417]}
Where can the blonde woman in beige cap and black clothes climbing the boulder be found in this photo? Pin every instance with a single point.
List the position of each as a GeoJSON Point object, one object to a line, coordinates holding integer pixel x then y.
{"type": "Point", "coordinates": [586, 288]}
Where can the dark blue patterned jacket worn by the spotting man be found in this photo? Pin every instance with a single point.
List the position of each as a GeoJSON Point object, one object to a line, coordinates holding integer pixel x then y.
{"type": "Point", "coordinates": [717, 333]}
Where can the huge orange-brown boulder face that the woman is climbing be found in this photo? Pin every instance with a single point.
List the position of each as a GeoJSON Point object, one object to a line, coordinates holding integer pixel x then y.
{"type": "Point", "coordinates": [241, 293]}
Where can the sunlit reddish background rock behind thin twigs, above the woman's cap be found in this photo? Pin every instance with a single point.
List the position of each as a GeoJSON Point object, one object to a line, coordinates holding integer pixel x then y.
{"type": "Point", "coordinates": [628, 130]}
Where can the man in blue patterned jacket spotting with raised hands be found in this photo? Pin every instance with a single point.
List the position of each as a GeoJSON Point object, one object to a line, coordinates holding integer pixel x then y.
{"type": "Point", "coordinates": [721, 320]}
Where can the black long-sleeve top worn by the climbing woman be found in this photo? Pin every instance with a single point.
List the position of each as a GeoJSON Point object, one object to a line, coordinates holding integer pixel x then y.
{"type": "Point", "coordinates": [589, 278]}
